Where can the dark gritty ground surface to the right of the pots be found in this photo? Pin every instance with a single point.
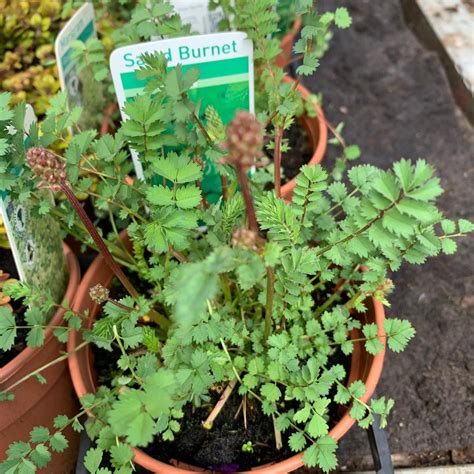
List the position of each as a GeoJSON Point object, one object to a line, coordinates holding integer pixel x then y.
{"type": "Point", "coordinates": [395, 100]}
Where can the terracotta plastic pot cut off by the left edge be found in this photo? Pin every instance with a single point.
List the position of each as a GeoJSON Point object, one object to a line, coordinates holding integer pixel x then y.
{"type": "Point", "coordinates": [37, 404]}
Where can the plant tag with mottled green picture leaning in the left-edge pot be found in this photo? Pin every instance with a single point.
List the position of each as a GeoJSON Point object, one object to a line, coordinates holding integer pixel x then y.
{"type": "Point", "coordinates": [34, 240]}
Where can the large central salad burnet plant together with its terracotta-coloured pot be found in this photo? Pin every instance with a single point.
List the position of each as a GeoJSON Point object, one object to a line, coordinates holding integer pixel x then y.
{"type": "Point", "coordinates": [226, 336]}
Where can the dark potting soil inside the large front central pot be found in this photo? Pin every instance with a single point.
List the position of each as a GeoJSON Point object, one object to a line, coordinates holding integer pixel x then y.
{"type": "Point", "coordinates": [218, 449]}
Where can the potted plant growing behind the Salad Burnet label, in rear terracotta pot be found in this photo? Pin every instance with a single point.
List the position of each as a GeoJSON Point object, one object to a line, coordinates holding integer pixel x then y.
{"type": "Point", "coordinates": [308, 133]}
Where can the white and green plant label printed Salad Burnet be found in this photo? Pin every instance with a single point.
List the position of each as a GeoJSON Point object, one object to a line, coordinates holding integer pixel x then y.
{"type": "Point", "coordinates": [224, 62]}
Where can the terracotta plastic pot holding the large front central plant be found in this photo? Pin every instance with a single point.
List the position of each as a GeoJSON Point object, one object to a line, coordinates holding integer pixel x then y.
{"type": "Point", "coordinates": [364, 367]}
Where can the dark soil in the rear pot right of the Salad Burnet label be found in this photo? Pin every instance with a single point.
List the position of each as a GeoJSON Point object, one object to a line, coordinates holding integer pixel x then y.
{"type": "Point", "coordinates": [299, 154]}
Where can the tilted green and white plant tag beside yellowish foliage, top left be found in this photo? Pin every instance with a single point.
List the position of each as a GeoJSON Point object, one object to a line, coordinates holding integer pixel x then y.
{"type": "Point", "coordinates": [80, 27]}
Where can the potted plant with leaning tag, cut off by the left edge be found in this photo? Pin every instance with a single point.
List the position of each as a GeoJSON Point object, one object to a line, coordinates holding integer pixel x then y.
{"type": "Point", "coordinates": [34, 378]}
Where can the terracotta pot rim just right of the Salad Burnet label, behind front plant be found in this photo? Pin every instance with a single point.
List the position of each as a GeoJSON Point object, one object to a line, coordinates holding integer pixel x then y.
{"type": "Point", "coordinates": [317, 131]}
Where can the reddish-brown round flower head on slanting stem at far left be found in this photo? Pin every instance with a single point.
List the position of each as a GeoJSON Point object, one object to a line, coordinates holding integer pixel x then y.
{"type": "Point", "coordinates": [47, 166]}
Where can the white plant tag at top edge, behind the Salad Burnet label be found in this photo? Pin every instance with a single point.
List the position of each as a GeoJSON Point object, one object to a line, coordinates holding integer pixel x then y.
{"type": "Point", "coordinates": [197, 14]}
